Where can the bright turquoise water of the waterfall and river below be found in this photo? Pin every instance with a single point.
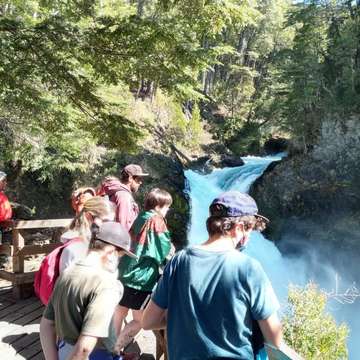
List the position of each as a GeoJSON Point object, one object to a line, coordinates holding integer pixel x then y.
{"type": "Point", "coordinates": [282, 271]}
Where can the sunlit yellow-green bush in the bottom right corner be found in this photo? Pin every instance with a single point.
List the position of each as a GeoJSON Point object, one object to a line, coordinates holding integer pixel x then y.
{"type": "Point", "coordinates": [311, 331]}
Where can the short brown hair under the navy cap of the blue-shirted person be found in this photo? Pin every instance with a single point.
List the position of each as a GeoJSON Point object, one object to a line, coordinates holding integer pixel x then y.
{"type": "Point", "coordinates": [217, 225]}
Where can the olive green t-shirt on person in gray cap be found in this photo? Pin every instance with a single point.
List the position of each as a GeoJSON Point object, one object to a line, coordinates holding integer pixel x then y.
{"type": "Point", "coordinates": [83, 302]}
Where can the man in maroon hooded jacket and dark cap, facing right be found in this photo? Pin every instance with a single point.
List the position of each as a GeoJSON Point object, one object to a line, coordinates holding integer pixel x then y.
{"type": "Point", "coordinates": [120, 192]}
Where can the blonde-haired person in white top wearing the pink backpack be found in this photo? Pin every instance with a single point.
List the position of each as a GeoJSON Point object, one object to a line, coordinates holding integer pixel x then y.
{"type": "Point", "coordinates": [94, 212]}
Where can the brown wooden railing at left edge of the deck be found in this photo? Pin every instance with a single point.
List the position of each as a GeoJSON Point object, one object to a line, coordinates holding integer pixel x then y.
{"type": "Point", "coordinates": [17, 250]}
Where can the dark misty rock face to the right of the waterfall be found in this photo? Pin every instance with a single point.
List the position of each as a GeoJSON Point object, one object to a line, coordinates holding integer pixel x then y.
{"type": "Point", "coordinates": [315, 198]}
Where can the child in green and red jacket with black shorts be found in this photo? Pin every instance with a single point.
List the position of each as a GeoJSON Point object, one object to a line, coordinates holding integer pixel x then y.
{"type": "Point", "coordinates": [150, 241]}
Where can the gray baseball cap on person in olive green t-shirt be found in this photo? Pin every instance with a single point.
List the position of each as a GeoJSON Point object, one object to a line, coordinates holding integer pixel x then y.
{"type": "Point", "coordinates": [115, 234]}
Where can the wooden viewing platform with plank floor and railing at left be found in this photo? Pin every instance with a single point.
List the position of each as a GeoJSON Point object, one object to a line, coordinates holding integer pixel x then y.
{"type": "Point", "coordinates": [21, 311]}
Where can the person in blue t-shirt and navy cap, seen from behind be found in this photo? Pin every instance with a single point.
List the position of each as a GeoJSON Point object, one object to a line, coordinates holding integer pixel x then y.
{"type": "Point", "coordinates": [210, 294]}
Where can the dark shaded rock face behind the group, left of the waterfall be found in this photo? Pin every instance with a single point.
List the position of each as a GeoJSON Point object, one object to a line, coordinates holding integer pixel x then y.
{"type": "Point", "coordinates": [51, 199]}
